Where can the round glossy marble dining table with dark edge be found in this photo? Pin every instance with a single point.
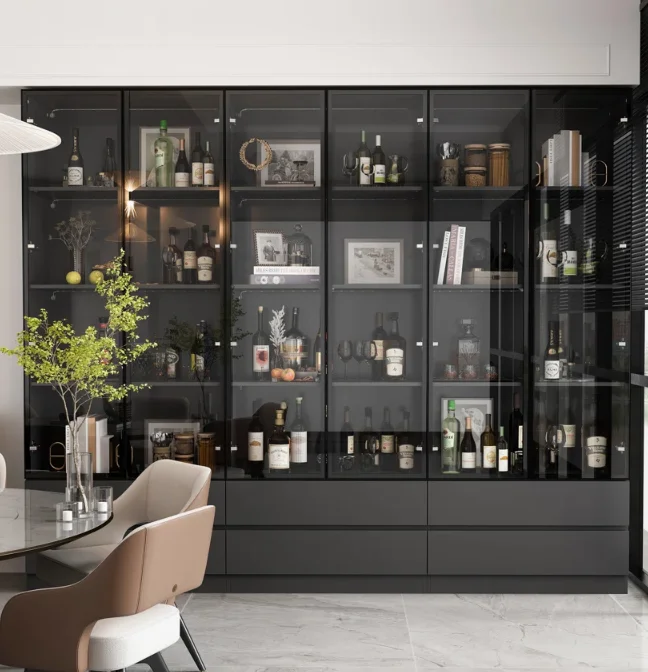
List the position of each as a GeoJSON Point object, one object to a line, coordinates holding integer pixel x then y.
{"type": "Point", "coordinates": [28, 522]}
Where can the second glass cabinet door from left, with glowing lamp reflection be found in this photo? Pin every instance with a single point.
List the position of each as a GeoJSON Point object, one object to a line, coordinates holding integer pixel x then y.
{"type": "Point", "coordinates": [173, 235]}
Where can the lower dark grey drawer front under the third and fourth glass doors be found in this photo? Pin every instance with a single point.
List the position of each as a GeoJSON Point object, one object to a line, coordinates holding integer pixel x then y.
{"type": "Point", "coordinates": [326, 552]}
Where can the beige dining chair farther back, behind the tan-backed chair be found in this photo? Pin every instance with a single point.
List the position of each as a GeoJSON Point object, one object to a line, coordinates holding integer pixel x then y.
{"type": "Point", "coordinates": [165, 488]}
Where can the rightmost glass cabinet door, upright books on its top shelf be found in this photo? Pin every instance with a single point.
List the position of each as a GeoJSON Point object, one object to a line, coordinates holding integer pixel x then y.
{"type": "Point", "coordinates": [581, 214]}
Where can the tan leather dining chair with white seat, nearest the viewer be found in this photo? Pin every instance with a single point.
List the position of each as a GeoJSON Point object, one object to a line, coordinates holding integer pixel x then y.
{"type": "Point", "coordinates": [121, 613]}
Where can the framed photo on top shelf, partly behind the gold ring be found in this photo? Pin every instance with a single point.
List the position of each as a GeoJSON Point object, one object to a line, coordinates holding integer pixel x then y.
{"type": "Point", "coordinates": [295, 163]}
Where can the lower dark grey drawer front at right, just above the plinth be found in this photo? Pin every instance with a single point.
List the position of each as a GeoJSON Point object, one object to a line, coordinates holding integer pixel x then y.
{"type": "Point", "coordinates": [527, 552]}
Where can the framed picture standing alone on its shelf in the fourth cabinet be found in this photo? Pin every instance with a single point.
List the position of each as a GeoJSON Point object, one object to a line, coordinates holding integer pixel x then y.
{"type": "Point", "coordinates": [373, 262]}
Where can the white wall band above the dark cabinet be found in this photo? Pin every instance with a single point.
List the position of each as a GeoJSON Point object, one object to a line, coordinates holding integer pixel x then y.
{"type": "Point", "coordinates": [331, 42]}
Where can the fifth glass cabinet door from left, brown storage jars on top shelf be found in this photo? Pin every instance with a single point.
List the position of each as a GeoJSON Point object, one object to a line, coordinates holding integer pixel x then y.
{"type": "Point", "coordinates": [477, 230]}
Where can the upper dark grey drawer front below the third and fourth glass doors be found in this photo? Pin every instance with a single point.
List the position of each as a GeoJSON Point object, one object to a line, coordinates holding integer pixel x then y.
{"type": "Point", "coordinates": [337, 504]}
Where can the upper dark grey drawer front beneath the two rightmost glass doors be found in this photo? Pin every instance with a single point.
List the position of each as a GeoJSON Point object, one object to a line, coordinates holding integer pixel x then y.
{"type": "Point", "coordinates": [528, 503]}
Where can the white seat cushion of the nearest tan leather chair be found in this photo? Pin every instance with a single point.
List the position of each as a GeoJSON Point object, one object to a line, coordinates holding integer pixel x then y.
{"type": "Point", "coordinates": [117, 643]}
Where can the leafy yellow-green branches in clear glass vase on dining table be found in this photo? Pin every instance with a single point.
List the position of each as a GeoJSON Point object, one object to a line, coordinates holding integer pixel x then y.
{"type": "Point", "coordinates": [84, 367]}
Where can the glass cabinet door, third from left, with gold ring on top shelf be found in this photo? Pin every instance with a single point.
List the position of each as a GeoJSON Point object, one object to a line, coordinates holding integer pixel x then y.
{"type": "Point", "coordinates": [276, 273]}
